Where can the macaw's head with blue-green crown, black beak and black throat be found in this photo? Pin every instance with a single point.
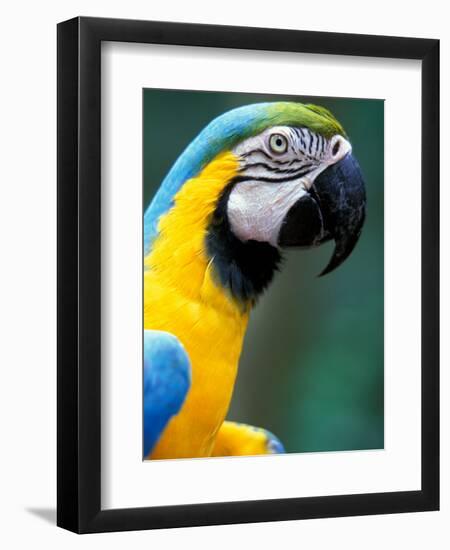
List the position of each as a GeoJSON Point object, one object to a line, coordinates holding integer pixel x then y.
{"type": "Point", "coordinates": [297, 184]}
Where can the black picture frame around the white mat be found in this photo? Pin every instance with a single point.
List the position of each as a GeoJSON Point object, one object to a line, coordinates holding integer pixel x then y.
{"type": "Point", "coordinates": [79, 280]}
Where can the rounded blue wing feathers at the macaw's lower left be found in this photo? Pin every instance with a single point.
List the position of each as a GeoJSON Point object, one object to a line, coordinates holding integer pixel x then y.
{"type": "Point", "coordinates": [167, 378]}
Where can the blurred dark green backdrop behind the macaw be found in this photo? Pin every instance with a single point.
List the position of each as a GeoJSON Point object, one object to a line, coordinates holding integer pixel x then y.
{"type": "Point", "coordinates": [312, 367]}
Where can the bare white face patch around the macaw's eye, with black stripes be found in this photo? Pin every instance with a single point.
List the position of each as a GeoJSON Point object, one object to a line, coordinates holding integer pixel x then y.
{"type": "Point", "coordinates": [278, 167]}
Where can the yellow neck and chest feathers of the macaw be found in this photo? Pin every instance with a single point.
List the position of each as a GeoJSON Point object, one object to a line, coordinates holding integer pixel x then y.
{"type": "Point", "coordinates": [183, 297]}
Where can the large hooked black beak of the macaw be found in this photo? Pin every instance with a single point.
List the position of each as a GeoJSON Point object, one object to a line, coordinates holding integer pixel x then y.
{"type": "Point", "coordinates": [334, 208]}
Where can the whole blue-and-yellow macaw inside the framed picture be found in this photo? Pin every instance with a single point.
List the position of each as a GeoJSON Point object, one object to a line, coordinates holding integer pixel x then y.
{"type": "Point", "coordinates": [256, 180]}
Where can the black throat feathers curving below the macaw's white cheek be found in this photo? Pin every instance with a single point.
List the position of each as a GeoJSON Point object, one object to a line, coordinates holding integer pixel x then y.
{"type": "Point", "coordinates": [245, 269]}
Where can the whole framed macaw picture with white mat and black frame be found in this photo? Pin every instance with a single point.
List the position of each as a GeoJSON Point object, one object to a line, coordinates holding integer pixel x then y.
{"type": "Point", "coordinates": [248, 288]}
